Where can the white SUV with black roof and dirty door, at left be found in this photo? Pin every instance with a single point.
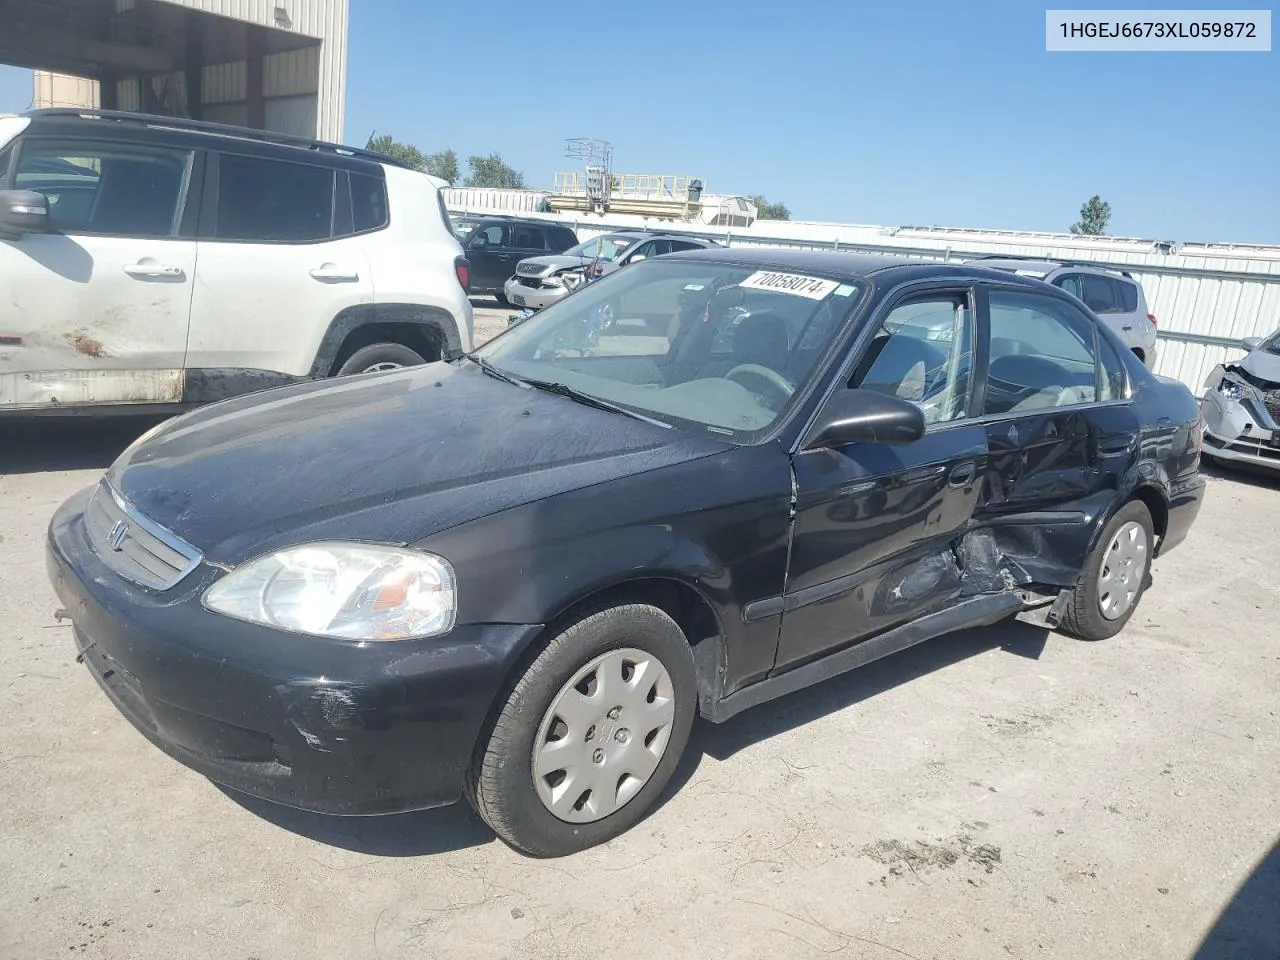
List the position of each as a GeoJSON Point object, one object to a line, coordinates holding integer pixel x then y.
{"type": "Point", "coordinates": [152, 262]}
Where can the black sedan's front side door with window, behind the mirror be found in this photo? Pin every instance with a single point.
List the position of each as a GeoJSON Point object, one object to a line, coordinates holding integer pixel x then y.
{"type": "Point", "coordinates": [875, 524]}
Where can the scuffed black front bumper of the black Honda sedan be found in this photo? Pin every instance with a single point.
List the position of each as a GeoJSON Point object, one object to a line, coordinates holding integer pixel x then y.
{"type": "Point", "coordinates": [324, 726]}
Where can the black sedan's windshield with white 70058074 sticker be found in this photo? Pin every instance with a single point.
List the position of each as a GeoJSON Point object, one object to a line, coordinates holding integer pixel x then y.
{"type": "Point", "coordinates": [712, 348]}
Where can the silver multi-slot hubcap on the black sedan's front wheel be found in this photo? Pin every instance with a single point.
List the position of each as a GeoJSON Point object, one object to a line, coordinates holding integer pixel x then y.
{"type": "Point", "coordinates": [604, 737]}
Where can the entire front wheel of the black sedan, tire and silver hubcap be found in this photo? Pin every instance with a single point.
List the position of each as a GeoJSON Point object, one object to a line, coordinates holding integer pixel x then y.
{"type": "Point", "coordinates": [589, 735]}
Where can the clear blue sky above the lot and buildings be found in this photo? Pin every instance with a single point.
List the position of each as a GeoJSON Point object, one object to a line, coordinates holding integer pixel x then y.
{"type": "Point", "coordinates": [886, 113]}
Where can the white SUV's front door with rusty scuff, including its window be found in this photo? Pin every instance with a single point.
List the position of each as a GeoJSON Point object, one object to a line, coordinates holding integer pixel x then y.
{"type": "Point", "coordinates": [97, 312]}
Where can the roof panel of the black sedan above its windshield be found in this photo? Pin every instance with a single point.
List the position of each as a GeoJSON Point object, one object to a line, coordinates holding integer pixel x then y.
{"type": "Point", "coordinates": [851, 267]}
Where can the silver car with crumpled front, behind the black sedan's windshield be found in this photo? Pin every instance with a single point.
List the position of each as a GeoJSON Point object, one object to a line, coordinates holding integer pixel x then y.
{"type": "Point", "coordinates": [540, 282]}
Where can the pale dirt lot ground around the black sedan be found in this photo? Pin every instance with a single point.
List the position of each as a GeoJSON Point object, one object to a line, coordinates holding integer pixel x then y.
{"type": "Point", "coordinates": [998, 794]}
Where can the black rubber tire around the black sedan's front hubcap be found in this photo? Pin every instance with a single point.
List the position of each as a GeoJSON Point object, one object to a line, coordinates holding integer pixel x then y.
{"type": "Point", "coordinates": [501, 783]}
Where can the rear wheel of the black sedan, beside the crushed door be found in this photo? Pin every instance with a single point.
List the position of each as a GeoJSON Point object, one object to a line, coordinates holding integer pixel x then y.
{"type": "Point", "coordinates": [1114, 577]}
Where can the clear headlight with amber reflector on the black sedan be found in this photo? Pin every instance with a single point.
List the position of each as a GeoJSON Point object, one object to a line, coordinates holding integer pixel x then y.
{"type": "Point", "coordinates": [345, 591]}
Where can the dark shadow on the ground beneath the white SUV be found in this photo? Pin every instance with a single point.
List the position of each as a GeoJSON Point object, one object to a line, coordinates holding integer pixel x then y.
{"type": "Point", "coordinates": [45, 444]}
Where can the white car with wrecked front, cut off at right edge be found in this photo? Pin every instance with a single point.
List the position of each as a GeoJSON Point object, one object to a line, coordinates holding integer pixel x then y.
{"type": "Point", "coordinates": [1242, 408]}
